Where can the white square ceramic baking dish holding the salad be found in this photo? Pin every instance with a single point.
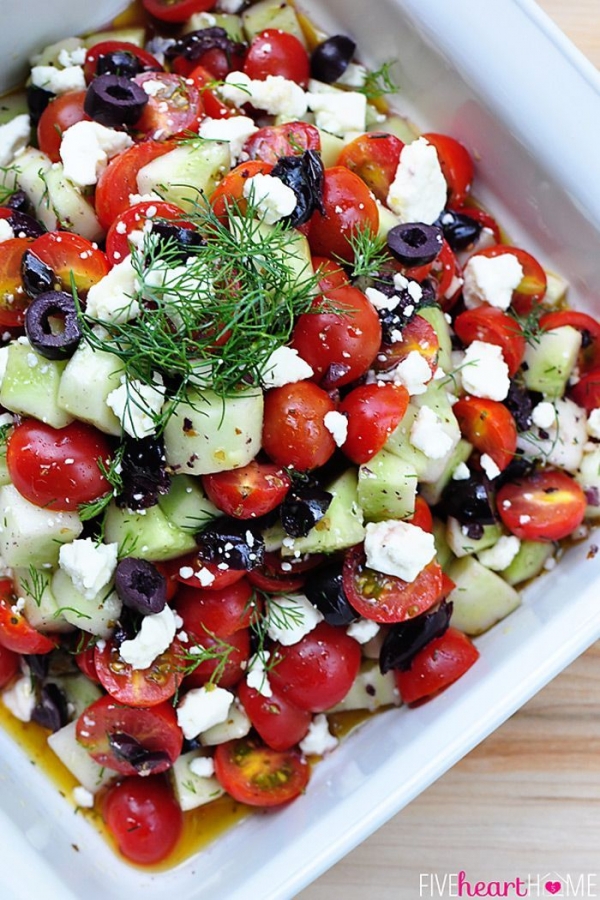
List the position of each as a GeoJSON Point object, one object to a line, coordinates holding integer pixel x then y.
{"type": "Point", "coordinates": [502, 79]}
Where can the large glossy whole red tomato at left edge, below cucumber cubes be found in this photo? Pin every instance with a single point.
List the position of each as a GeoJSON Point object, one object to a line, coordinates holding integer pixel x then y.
{"type": "Point", "coordinates": [57, 468]}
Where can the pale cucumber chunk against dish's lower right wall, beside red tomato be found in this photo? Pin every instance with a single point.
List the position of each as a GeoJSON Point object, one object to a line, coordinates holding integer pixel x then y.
{"type": "Point", "coordinates": [481, 597]}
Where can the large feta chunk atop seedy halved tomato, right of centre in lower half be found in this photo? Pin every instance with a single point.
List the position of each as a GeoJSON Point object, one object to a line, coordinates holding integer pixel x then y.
{"type": "Point", "coordinates": [398, 548]}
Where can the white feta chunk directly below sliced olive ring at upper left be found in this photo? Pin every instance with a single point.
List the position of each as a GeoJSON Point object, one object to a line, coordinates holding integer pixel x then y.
{"type": "Point", "coordinates": [86, 148]}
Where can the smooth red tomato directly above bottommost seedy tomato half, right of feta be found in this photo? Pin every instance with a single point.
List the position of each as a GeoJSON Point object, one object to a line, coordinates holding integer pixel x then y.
{"type": "Point", "coordinates": [279, 723]}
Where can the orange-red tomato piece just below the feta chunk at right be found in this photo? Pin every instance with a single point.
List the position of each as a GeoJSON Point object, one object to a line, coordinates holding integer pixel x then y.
{"type": "Point", "coordinates": [489, 426]}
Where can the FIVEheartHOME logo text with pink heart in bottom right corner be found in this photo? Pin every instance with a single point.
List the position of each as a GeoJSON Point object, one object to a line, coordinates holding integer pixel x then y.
{"type": "Point", "coordinates": [548, 884]}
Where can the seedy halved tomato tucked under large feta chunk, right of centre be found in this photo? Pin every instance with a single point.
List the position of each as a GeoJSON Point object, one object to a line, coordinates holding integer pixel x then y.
{"type": "Point", "coordinates": [386, 598]}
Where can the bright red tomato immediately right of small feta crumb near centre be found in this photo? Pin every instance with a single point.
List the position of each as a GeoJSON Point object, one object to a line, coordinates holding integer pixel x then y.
{"type": "Point", "coordinates": [373, 412]}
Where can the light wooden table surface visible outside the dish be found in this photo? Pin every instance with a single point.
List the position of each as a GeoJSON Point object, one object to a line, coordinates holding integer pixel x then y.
{"type": "Point", "coordinates": [527, 800]}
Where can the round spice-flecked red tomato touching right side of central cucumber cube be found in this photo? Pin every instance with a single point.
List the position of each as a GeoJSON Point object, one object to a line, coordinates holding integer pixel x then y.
{"type": "Point", "coordinates": [294, 433]}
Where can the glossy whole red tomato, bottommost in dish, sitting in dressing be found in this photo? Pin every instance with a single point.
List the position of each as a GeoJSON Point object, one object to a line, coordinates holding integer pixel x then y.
{"type": "Point", "coordinates": [144, 818]}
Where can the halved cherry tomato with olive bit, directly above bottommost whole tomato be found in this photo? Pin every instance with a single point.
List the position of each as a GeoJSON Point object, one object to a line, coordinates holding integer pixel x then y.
{"type": "Point", "coordinates": [105, 722]}
